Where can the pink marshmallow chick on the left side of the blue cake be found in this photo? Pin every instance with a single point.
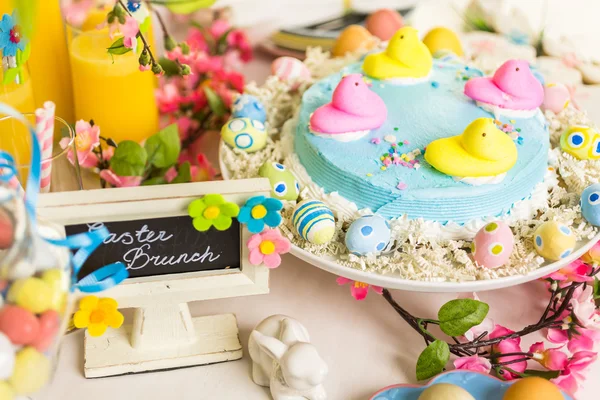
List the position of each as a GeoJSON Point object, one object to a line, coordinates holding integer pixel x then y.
{"type": "Point", "coordinates": [354, 107]}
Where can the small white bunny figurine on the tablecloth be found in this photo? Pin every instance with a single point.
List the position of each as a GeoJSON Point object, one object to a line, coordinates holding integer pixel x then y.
{"type": "Point", "coordinates": [284, 359]}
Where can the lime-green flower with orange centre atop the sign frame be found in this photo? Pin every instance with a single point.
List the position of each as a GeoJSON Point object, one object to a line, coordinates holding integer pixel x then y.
{"type": "Point", "coordinates": [212, 210]}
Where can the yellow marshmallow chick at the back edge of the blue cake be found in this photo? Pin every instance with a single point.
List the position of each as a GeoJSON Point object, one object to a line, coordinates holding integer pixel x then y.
{"type": "Point", "coordinates": [405, 57]}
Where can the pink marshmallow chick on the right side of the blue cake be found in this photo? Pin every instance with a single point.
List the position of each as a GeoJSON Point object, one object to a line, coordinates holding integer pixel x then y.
{"type": "Point", "coordinates": [512, 87]}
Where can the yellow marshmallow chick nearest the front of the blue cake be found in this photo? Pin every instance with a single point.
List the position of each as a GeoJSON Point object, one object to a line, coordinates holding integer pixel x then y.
{"type": "Point", "coordinates": [482, 150]}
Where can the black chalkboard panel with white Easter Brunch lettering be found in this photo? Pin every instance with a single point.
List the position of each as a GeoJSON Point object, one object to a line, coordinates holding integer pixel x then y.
{"type": "Point", "coordinates": [162, 246]}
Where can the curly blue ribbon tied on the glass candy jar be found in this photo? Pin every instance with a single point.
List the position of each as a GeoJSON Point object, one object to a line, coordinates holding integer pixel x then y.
{"type": "Point", "coordinates": [85, 243]}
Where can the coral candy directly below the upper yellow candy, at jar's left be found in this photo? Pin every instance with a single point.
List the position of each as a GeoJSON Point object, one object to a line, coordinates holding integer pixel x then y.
{"type": "Point", "coordinates": [18, 324]}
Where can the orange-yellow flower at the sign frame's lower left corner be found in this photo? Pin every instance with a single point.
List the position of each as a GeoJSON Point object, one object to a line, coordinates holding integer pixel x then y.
{"type": "Point", "coordinates": [97, 314]}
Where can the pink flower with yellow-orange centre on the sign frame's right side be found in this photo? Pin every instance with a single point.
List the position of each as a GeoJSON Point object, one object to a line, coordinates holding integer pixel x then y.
{"type": "Point", "coordinates": [266, 247]}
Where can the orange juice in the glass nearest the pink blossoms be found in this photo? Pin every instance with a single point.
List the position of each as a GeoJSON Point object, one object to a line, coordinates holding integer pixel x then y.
{"type": "Point", "coordinates": [111, 90]}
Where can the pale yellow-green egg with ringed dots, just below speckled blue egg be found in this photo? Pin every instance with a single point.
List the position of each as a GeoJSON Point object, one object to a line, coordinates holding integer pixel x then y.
{"type": "Point", "coordinates": [245, 134]}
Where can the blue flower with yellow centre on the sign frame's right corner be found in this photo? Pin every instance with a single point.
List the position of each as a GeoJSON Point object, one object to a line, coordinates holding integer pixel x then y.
{"type": "Point", "coordinates": [260, 210]}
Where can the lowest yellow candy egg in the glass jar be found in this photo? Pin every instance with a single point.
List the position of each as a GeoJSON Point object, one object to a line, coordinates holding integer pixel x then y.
{"type": "Point", "coordinates": [31, 373]}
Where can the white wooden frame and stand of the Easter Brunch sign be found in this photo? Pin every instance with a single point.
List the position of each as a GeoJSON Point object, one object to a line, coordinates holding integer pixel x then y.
{"type": "Point", "coordinates": [163, 334]}
